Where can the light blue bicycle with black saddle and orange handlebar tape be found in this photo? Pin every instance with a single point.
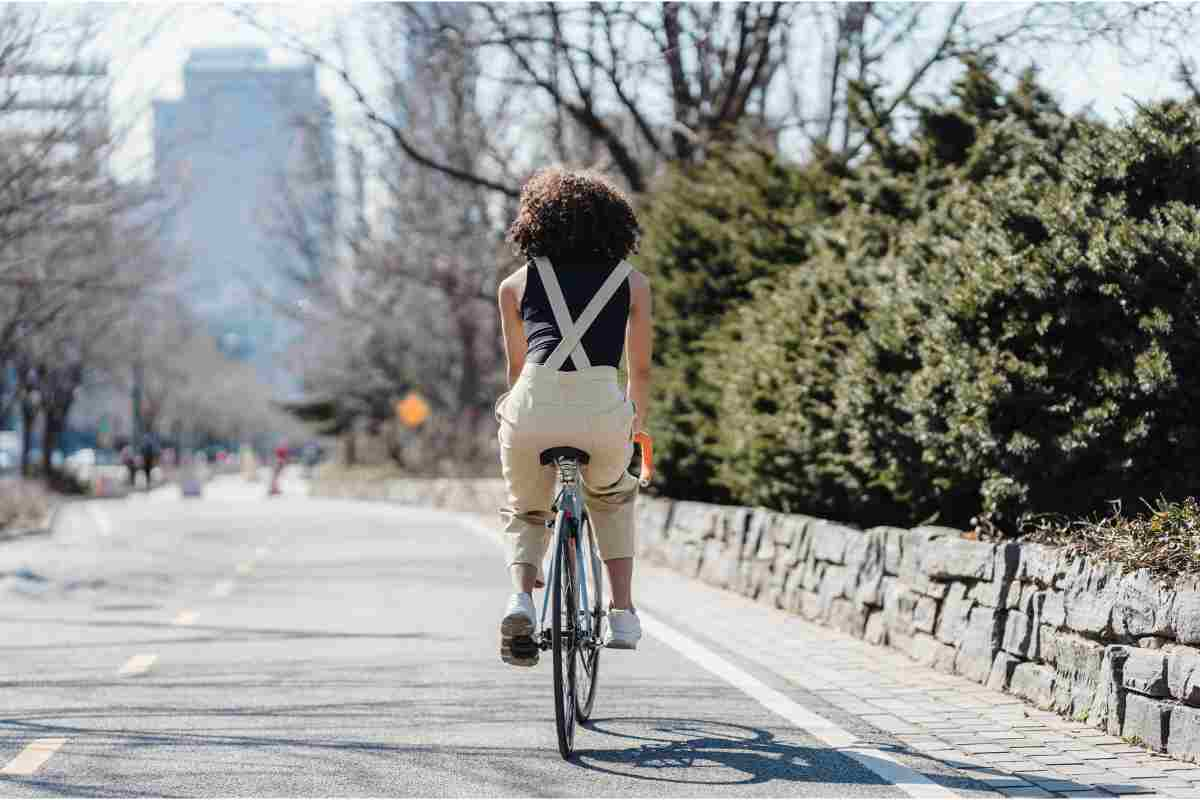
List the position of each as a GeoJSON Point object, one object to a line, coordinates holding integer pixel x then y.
{"type": "Point", "coordinates": [575, 592]}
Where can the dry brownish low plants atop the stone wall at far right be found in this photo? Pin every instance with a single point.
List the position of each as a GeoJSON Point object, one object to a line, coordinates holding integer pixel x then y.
{"type": "Point", "coordinates": [1165, 539]}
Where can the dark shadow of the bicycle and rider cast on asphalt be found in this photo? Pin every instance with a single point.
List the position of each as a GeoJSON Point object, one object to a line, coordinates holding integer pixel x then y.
{"type": "Point", "coordinates": [706, 753]}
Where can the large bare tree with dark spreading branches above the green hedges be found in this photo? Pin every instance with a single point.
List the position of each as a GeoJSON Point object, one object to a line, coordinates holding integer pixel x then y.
{"type": "Point", "coordinates": [634, 86]}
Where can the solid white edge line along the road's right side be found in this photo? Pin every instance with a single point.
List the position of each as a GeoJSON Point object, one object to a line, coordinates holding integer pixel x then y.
{"type": "Point", "coordinates": [884, 765]}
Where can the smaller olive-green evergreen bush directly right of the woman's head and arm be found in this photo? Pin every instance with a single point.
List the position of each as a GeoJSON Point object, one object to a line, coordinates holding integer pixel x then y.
{"type": "Point", "coordinates": [711, 230]}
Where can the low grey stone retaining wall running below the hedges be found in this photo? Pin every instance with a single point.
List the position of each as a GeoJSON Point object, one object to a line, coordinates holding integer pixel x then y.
{"type": "Point", "coordinates": [1070, 635]}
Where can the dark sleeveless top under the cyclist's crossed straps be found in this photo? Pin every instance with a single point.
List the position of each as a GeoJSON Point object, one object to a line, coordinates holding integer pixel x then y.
{"type": "Point", "coordinates": [604, 342]}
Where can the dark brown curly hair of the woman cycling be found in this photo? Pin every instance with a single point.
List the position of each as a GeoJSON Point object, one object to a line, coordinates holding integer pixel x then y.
{"type": "Point", "coordinates": [574, 216]}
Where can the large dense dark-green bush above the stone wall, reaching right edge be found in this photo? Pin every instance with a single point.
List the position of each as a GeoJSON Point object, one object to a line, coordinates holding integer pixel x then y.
{"type": "Point", "coordinates": [1000, 314]}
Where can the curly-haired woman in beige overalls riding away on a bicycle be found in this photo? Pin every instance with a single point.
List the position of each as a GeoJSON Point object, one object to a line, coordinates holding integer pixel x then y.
{"type": "Point", "coordinates": [567, 318]}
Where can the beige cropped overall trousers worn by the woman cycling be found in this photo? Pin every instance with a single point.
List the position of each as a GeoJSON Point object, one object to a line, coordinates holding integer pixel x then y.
{"type": "Point", "coordinates": [585, 410]}
